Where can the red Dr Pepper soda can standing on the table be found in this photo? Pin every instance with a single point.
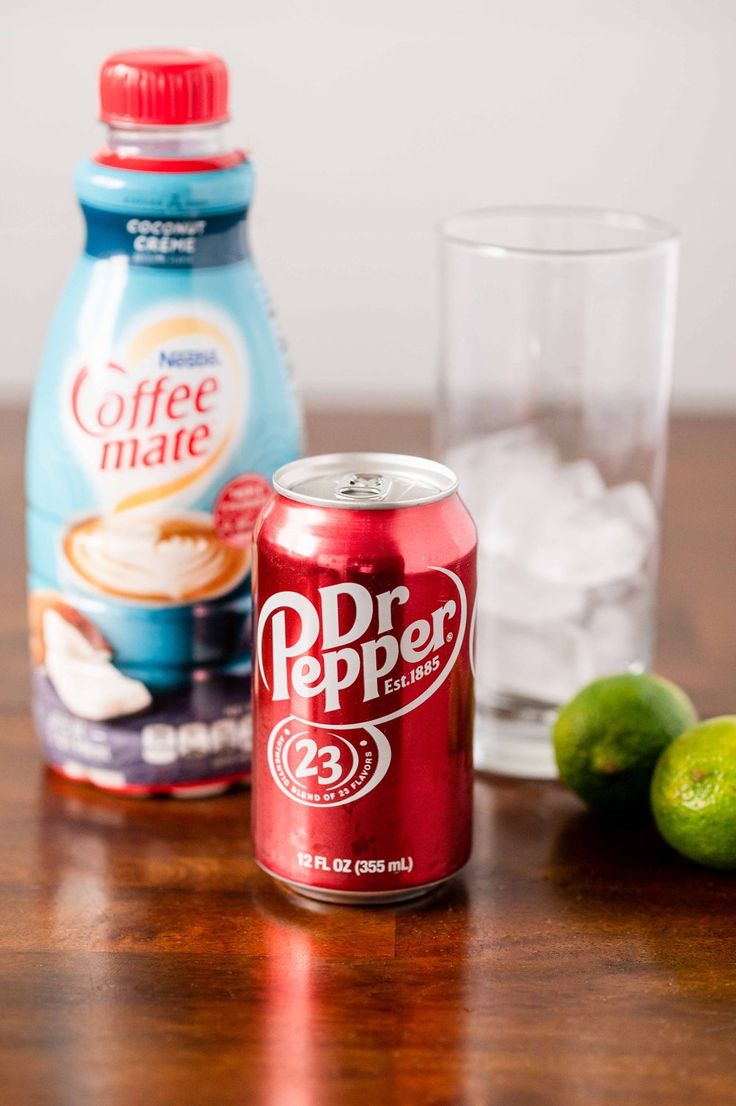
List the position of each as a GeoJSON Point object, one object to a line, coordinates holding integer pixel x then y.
{"type": "Point", "coordinates": [365, 578]}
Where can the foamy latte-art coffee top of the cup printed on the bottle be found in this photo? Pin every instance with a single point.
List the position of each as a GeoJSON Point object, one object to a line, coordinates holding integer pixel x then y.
{"type": "Point", "coordinates": [173, 559]}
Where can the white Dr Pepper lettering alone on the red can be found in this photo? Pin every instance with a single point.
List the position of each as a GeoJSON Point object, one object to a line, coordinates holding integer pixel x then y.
{"type": "Point", "coordinates": [343, 658]}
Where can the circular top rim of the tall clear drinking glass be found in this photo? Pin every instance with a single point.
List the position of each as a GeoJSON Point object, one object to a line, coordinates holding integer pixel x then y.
{"type": "Point", "coordinates": [659, 232]}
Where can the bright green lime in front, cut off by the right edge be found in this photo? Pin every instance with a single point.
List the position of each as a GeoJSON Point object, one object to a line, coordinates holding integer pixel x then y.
{"type": "Point", "coordinates": [694, 794]}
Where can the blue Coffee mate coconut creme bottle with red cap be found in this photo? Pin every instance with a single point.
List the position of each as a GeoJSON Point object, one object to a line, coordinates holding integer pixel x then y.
{"type": "Point", "coordinates": [162, 409]}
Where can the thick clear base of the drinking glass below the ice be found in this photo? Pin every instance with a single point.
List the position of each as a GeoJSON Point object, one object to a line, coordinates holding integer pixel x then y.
{"type": "Point", "coordinates": [509, 746]}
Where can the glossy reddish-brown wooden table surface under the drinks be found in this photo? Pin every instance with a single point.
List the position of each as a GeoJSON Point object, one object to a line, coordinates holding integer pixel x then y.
{"type": "Point", "coordinates": [146, 961]}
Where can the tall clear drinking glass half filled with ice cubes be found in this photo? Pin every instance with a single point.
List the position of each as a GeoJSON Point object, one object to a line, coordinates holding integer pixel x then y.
{"type": "Point", "coordinates": [557, 345]}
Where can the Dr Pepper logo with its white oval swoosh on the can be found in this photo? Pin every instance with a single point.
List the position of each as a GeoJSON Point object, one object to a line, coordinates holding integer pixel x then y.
{"type": "Point", "coordinates": [351, 658]}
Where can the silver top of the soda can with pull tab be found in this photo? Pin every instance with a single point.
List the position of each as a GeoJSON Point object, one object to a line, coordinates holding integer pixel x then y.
{"type": "Point", "coordinates": [366, 482]}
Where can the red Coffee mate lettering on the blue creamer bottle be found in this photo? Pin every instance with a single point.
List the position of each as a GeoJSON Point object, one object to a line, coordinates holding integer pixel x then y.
{"type": "Point", "coordinates": [125, 418]}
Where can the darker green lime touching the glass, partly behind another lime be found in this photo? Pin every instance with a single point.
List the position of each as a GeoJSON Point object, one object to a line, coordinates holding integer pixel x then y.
{"type": "Point", "coordinates": [608, 739]}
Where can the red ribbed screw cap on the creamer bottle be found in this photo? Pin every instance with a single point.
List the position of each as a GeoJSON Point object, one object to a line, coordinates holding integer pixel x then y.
{"type": "Point", "coordinates": [163, 88]}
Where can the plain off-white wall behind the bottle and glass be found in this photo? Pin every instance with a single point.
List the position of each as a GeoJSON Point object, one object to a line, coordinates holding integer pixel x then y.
{"type": "Point", "coordinates": [369, 121]}
